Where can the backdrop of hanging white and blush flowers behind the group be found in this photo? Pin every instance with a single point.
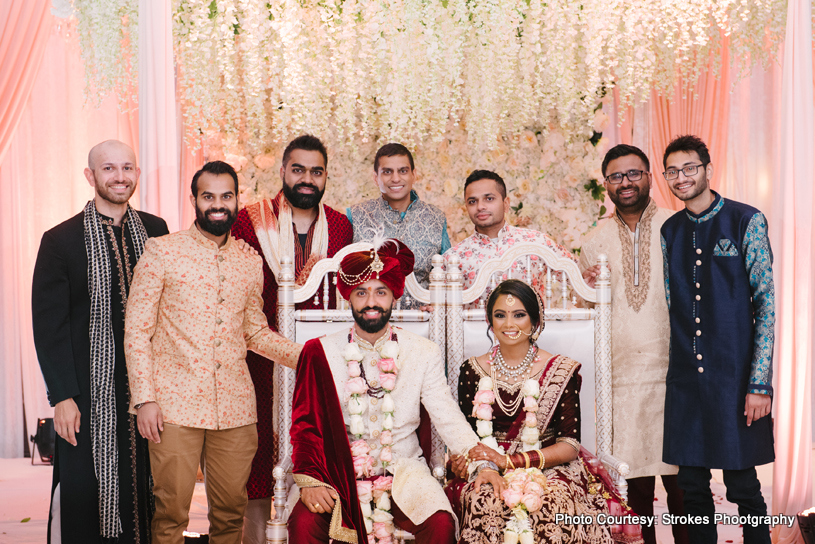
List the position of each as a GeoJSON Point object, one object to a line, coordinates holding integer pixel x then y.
{"type": "Point", "coordinates": [508, 85]}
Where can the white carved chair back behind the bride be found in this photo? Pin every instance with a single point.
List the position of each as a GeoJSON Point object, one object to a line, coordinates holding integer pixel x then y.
{"type": "Point", "coordinates": [583, 334]}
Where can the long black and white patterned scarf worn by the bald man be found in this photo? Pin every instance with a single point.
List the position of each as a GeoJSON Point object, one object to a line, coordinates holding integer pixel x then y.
{"type": "Point", "coordinates": [103, 361]}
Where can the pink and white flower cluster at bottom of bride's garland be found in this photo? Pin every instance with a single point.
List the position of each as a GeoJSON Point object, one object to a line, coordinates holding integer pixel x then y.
{"type": "Point", "coordinates": [524, 496]}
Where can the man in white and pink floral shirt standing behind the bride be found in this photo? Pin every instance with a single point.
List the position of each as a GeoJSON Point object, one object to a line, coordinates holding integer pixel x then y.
{"type": "Point", "coordinates": [485, 196]}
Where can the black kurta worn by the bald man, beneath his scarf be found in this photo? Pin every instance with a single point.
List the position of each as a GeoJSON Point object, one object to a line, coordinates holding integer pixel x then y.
{"type": "Point", "coordinates": [61, 320]}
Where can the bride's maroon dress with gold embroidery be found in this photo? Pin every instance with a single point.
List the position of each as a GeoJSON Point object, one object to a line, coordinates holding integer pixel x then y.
{"type": "Point", "coordinates": [578, 487]}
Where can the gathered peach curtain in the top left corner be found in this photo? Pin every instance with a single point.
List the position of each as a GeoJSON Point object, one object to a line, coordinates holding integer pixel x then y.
{"type": "Point", "coordinates": [25, 28]}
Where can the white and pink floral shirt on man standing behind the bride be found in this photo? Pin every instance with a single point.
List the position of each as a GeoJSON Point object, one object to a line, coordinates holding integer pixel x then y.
{"type": "Point", "coordinates": [477, 248]}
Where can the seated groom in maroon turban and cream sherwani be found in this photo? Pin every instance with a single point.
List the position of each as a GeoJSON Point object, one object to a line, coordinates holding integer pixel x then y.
{"type": "Point", "coordinates": [355, 413]}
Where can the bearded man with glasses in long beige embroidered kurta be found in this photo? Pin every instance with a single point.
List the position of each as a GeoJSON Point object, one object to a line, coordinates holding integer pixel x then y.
{"type": "Point", "coordinates": [640, 331]}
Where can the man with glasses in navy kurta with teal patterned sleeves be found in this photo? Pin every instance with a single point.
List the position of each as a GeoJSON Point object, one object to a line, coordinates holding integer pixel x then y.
{"type": "Point", "coordinates": [721, 299]}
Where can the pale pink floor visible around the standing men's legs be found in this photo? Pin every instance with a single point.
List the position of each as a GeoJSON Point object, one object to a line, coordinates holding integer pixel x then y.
{"type": "Point", "coordinates": [25, 489]}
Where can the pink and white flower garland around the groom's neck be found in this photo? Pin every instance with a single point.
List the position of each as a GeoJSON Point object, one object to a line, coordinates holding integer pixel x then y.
{"type": "Point", "coordinates": [373, 494]}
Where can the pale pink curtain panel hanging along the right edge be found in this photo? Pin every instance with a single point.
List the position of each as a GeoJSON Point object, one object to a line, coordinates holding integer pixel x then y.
{"type": "Point", "coordinates": [794, 205]}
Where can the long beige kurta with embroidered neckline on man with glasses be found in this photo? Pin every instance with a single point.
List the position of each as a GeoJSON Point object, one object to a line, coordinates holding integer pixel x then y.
{"type": "Point", "coordinates": [640, 336]}
